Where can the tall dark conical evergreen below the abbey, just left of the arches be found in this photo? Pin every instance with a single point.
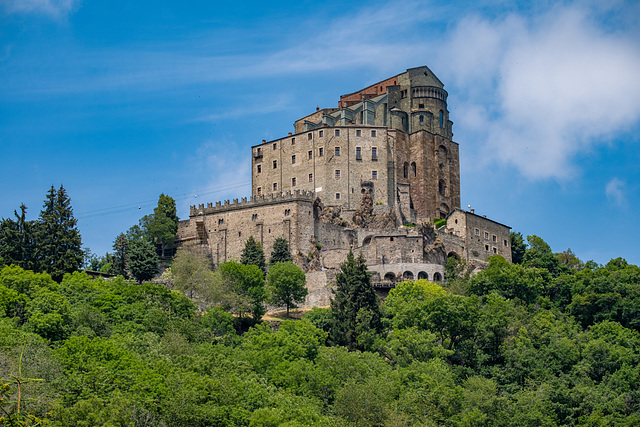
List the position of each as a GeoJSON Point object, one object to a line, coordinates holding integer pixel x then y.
{"type": "Point", "coordinates": [355, 308]}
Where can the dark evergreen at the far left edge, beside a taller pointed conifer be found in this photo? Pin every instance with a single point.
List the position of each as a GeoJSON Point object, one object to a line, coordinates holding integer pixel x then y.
{"type": "Point", "coordinates": [17, 241]}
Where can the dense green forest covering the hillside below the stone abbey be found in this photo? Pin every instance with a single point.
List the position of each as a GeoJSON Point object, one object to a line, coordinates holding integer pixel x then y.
{"type": "Point", "coordinates": [546, 341]}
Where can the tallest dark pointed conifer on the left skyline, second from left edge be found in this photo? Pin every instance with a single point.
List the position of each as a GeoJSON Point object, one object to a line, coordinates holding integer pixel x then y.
{"type": "Point", "coordinates": [58, 239]}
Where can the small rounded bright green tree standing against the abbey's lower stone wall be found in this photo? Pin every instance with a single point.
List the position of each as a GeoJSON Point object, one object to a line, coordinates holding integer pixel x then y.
{"type": "Point", "coordinates": [286, 284]}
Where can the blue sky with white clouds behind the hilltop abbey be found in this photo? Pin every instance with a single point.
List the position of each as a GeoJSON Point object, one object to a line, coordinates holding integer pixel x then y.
{"type": "Point", "coordinates": [120, 101]}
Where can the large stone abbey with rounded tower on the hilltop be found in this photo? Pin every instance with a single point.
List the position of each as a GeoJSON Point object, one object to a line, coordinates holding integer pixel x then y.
{"type": "Point", "coordinates": [370, 175]}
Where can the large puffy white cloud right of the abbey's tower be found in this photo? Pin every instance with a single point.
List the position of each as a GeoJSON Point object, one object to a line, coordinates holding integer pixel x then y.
{"type": "Point", "coordinates": [552, 86]}
